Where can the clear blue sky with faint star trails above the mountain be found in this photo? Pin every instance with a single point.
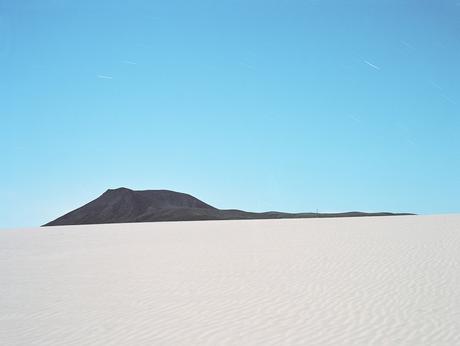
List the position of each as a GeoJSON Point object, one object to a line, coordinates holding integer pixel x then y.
{"type": "Point", "coordinates": [250, 104]}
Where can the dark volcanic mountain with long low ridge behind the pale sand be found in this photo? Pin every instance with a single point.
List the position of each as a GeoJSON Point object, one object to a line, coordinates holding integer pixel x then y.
{"type": "Point", "coordinates": [125, 205]}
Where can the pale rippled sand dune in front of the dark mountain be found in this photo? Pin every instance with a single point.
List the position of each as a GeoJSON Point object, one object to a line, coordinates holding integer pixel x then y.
{"type": "Point", "coordinates": [352, 281]}
